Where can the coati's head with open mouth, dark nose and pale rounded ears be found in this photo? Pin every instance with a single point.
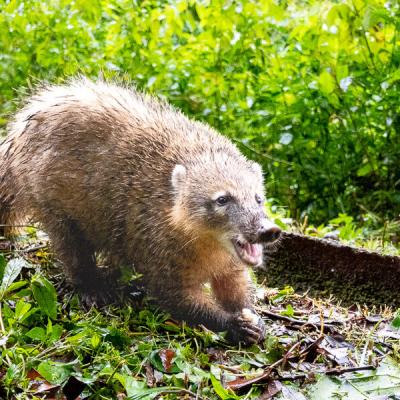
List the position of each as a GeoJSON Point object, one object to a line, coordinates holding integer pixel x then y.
{"type": "Point", "coordinates": [224, 198]}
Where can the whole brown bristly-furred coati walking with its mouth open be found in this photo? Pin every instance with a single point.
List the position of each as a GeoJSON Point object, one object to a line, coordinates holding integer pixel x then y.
{"type": "Point", "coordinates": [106, 169]}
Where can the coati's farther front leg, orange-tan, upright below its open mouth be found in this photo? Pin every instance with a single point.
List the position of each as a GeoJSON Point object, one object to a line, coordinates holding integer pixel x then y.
{"type": "Point", "coordinates": [235, 293]}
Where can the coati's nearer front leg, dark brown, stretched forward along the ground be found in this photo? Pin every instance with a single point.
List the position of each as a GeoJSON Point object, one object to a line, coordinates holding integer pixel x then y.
{"type": "Point", "coordinates": [186, 301]}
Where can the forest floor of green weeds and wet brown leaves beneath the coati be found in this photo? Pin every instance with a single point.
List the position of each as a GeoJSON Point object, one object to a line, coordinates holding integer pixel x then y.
{"type": "Point", "coordinates": [51, 348]}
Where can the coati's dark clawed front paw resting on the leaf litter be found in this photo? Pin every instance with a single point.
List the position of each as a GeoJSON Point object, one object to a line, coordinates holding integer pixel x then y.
{"type": "Point", "coordinates": [246, 327]}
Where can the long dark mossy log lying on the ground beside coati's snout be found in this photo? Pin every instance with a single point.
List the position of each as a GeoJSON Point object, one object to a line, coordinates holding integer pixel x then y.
{"type": "Point", "coordinates": [328, 267]}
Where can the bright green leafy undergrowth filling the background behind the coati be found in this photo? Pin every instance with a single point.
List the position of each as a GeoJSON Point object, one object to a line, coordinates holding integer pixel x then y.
{"type": "Point", "coordinates": [307, 88]}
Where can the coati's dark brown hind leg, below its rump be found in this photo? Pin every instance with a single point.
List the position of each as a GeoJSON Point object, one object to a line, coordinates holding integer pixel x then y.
{"type": "Point", "coordinates": [79, 262]}
